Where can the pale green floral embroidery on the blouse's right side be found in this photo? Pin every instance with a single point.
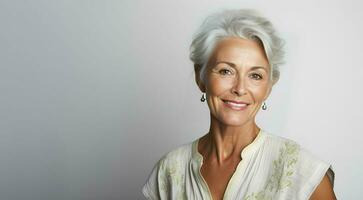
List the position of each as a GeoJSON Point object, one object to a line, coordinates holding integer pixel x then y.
{"type": "Point", "coordinates": [283, 170]}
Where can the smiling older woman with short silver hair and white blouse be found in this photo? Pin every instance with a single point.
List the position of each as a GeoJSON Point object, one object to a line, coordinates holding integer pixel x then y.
{"type": "Point", "coordinates": [236, 55]}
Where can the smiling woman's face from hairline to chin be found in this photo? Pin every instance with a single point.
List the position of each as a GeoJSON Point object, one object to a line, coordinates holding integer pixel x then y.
{"type": "Point", "coordinates": [237, 81]}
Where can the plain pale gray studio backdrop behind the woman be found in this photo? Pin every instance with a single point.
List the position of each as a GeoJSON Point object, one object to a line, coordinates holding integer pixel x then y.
{"type": "Point", "coordinates": [93, 93]}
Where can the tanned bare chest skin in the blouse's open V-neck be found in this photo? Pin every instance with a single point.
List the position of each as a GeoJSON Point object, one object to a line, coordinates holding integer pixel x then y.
{"type": "Point", "coordinates": [217, 176]}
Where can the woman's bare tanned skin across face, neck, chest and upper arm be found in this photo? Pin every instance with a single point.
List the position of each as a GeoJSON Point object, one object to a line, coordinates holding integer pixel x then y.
{"type": "Point", "coordinates": [237, 70]}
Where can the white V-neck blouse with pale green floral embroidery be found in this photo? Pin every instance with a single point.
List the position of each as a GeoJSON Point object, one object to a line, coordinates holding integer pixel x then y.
{"type": "Point", "coordinates": [272, 167]}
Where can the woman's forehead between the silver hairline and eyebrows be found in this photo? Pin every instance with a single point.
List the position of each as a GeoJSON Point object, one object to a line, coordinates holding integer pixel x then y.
{"type": "Point", "coordinates": [240, 52]}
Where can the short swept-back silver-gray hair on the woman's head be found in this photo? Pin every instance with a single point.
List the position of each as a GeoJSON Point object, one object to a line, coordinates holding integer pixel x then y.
{"type": "Point", "coordinates": [244, 24]}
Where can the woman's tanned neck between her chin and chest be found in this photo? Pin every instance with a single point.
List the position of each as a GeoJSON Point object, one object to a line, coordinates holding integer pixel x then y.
{"type": "Point", "coordinates": [225, 142]}
